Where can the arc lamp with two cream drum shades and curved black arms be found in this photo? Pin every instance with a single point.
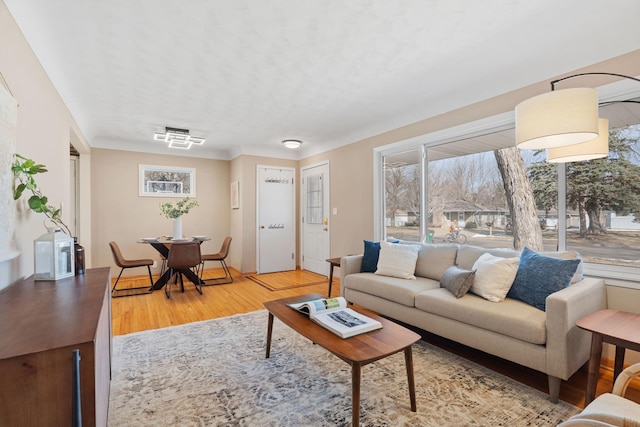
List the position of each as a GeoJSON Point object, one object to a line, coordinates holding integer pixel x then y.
{"type": "Point", "coordinates": [566, 119]}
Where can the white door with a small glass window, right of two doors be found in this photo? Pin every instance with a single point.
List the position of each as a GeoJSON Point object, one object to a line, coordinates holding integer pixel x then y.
{"type": "Point", "coordinates": [315, 219]}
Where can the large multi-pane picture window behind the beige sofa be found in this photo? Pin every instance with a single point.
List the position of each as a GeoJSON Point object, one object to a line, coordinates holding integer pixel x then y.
{"type": "Point", "coordinates": [599, 215]}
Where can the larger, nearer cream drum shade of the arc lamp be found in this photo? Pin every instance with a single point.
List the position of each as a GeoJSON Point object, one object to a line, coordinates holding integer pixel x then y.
{"type": "Point", "coordinates": [556, 119]}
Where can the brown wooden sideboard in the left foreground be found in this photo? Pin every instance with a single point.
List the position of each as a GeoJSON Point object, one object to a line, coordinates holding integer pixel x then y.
{"type": "Point", "coordinates": [41, 324]}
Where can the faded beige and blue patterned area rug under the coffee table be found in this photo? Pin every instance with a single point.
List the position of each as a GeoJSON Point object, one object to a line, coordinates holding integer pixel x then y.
{"type": "Point", "coordinates": [214, 373]}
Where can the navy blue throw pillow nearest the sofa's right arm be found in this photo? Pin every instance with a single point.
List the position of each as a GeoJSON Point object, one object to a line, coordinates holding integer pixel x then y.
{"type": "Point", "coordinates": [539, 276]}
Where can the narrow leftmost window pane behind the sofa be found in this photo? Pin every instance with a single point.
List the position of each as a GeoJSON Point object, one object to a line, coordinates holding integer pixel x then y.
{"type": "Point", "coordinates": [402, 195]}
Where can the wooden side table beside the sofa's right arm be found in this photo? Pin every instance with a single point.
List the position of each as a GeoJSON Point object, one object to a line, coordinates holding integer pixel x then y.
{"type": "Point", "coordinates": [619, 328]}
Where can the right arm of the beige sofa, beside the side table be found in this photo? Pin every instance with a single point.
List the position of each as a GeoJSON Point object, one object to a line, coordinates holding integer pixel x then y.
{"type": "Point", "coordinates": [568, 347]}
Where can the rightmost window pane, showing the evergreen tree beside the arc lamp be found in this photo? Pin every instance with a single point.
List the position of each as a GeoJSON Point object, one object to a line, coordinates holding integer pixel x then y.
{"type": "Point", "coordinates": [603, 202]}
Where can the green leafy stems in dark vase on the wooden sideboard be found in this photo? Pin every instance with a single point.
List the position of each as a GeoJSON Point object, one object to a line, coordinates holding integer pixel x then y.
{"type": "Point", "coordinates": [24, 170]}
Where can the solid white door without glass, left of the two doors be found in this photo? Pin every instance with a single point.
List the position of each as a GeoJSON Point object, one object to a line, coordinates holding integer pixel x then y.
{"type": "Point", "coordinates": [276, 239]}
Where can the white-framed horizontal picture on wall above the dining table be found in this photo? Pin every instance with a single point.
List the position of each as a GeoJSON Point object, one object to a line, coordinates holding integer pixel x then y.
{"type": "Point", "coordinates": [167, 181]}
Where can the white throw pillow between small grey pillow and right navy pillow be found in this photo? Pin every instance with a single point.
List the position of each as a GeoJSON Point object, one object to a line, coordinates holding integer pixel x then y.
{"type": "Point", "coordinates": [494, 276]}
